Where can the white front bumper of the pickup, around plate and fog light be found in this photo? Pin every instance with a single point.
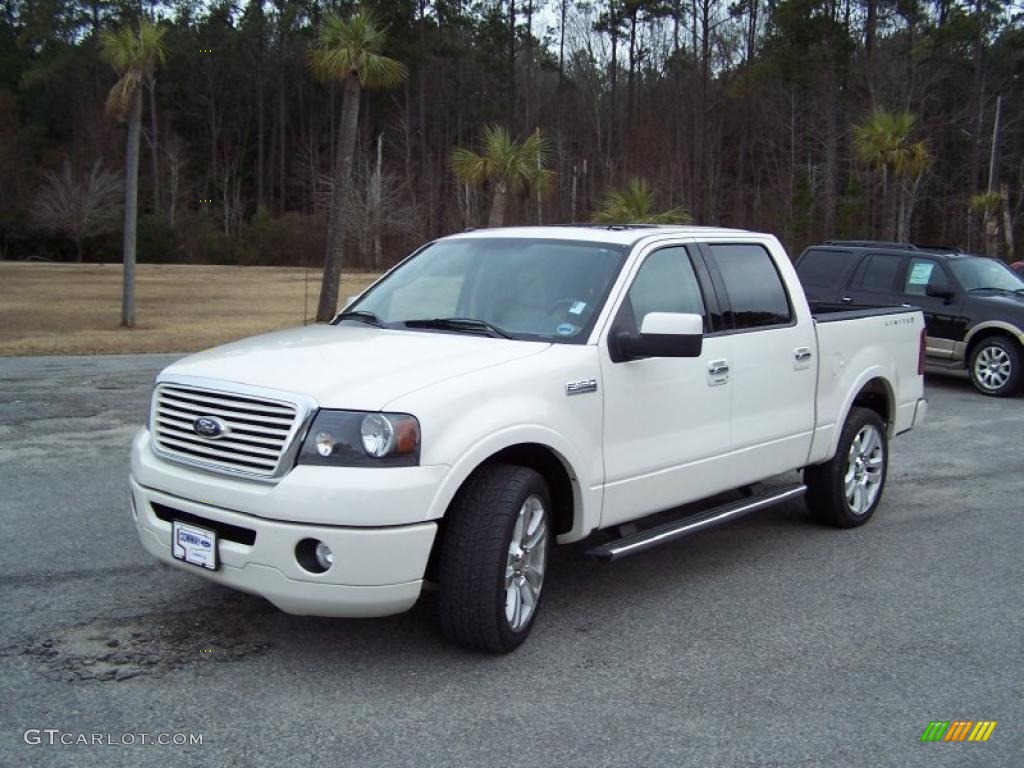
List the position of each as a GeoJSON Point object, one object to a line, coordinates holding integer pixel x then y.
{"type": "Point", "coordinates": [377, 572]}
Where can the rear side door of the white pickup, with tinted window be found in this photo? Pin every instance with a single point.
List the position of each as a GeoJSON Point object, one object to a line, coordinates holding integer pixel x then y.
{"type": "Point", "coordinates": [774, 374]}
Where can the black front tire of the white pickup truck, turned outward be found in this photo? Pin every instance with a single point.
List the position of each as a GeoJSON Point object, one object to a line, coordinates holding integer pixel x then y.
{"type": "Point", "coordinates": [477, 559]}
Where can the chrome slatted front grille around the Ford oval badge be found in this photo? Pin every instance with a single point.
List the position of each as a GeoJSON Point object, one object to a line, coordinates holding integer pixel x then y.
{"type": "Point", "coordinates": [254, 433]}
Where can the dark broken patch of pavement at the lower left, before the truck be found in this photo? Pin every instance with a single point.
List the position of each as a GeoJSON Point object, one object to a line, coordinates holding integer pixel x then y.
{"type": "Point", "coordinates": [114, 650]}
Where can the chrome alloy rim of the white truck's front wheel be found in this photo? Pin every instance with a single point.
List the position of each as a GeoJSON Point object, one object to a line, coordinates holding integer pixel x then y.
{"type": "Point", "coordinates": [527, 561]}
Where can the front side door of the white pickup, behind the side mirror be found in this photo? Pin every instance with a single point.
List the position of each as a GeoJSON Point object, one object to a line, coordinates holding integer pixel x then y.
{"type": "Point", "coordinates": [666, 419]}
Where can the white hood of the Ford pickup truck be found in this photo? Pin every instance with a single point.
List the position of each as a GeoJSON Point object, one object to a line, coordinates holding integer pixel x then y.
{"type": "Point", "coordinates": [351, 367]}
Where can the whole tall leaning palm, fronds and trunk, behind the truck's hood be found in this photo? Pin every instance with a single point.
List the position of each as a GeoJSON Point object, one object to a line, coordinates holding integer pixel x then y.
{"type": "Point", "coordinates": [348, 50]}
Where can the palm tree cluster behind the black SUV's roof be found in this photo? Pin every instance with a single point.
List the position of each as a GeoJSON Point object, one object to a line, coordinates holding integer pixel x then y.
{"type": "Point", "coordinates": [882, 143]}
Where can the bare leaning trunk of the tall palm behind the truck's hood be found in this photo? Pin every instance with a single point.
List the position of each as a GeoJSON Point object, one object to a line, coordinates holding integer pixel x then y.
{"type": "Point", "coordinates": [335, 257]}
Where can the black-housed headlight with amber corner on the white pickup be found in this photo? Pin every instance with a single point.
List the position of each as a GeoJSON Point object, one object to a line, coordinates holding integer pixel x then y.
{"type": "Point", "coordinates": [357, 439]}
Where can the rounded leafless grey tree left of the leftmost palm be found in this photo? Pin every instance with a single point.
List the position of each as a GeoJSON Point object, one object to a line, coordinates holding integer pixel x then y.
{"type": "Point", "coordinates": [78, 208]}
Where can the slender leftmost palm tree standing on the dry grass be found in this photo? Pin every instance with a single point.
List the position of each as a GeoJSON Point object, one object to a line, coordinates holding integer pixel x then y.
{"type": "Point", "coordinates": [134, 54]}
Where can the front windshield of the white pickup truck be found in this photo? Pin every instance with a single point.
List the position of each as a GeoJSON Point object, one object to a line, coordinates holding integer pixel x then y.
{"type": "Point", "coordinates": [527, 289]}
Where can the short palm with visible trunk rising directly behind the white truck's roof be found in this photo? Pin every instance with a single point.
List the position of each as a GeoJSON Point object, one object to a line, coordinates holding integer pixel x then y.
{"type": "Point", "coordinates": [509, 165]}
